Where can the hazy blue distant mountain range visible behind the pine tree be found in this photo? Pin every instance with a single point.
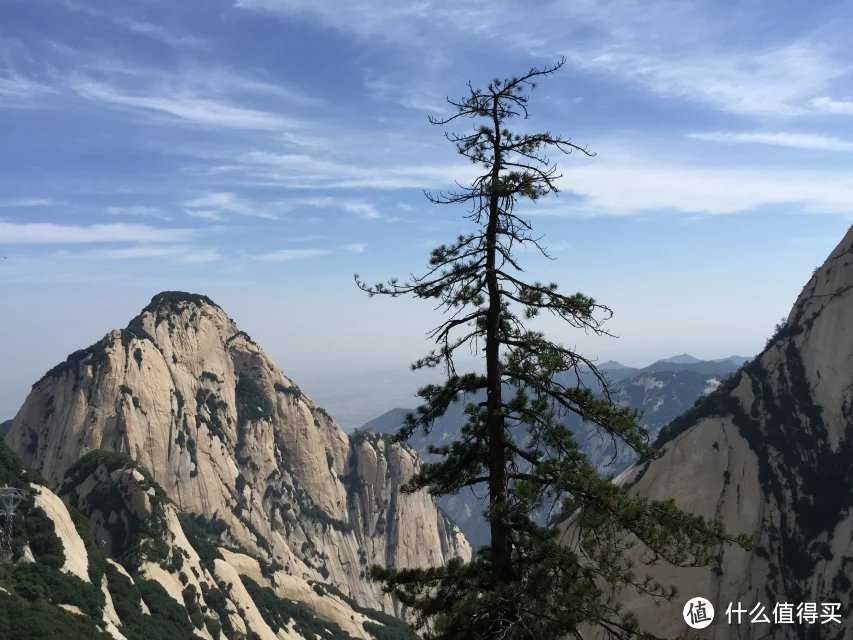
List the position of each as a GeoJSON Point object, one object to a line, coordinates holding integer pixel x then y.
{"type": "Point", "coordinates": [662, 391]}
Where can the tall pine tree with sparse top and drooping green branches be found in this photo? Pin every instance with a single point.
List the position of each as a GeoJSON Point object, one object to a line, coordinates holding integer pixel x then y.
{"type": "Point", "coordinates": [530, 582]}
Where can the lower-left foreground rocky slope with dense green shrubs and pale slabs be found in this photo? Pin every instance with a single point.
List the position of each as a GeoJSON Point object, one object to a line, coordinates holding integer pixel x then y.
{"type": "Point", "coordinates": [110, 557]}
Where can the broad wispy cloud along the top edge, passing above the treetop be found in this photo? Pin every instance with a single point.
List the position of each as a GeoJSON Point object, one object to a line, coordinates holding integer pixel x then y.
{"type": "Point", "coordinates": [684, 50]}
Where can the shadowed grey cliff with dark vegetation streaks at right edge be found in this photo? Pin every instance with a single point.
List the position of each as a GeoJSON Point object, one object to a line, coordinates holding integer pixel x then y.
{"type": "Point", "coordinates": [771, 453]}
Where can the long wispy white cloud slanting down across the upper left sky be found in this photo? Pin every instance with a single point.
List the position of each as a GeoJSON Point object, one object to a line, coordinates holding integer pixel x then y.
{"type": "Point", "coordinates": [209, 96]}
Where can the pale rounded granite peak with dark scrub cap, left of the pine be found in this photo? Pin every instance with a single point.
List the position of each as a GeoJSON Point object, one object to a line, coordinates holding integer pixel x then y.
{"type": "Point", "coordinates": [195, 401]}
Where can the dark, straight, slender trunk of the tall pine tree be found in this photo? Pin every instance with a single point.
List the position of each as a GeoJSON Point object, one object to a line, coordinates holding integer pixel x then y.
{"type": "Point", "coordinates": [501, 542]}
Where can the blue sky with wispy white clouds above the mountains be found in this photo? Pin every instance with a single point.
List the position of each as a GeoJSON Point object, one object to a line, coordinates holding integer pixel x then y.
{"type": "Point", "coordinates": [263, 151]}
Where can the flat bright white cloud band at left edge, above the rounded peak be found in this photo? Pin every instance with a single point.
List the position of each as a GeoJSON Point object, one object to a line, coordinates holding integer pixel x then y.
{"type": "Point", "coordinates": [50, 233]}
